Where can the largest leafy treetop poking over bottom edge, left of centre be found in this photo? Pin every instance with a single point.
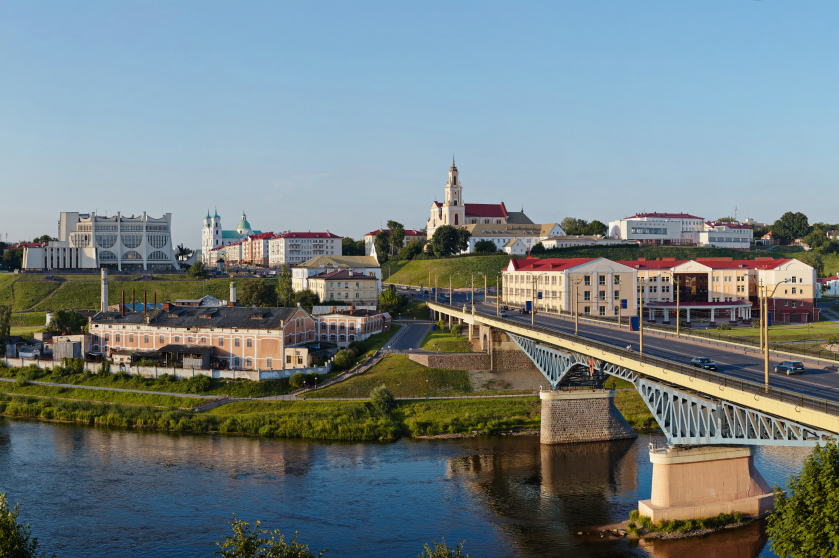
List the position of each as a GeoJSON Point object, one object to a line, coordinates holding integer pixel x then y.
{"type": "Point", "coordinates": [250, 543]}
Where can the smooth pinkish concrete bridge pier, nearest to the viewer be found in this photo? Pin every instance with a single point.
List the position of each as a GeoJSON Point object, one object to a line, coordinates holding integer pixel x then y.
{"type": "Point", "coordinates": [703, 482]}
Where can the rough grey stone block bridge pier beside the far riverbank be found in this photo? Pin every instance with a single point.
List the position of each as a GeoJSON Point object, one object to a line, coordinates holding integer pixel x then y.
{"type": "Point", "coordinates": [581, 416]}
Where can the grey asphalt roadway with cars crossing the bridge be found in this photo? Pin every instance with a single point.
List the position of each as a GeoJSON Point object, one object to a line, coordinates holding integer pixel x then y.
{"type": "Point", "coordinates": [817, 380]}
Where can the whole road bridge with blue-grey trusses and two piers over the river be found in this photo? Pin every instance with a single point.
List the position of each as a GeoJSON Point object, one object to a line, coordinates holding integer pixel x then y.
{"type": "Point", "coordinates": [710, 419]}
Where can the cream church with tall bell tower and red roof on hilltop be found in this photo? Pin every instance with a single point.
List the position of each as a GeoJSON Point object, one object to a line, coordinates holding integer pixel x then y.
{"type": "Point", "coordinates": [455, 212]}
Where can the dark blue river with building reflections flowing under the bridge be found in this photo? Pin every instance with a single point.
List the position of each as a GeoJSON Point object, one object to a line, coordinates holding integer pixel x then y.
{"type": "Point", "coordinates": [100, 492]}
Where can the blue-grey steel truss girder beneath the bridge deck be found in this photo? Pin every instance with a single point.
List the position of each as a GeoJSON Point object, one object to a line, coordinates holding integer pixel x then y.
{"type": "Point", "coordinates": [686, 418]}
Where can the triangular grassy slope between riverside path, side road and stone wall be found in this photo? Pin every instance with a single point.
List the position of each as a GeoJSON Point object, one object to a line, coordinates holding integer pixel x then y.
{"type": "Point", "coordinates": [404, 378]}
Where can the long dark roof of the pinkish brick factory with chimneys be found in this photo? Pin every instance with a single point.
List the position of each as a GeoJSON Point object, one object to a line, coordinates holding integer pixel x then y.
{"type": "Point", "coordinates": [190, 316]}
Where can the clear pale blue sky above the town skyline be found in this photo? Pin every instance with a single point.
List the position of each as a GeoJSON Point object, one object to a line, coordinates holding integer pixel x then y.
{"type": "Point", "coordinates": [341, 115]}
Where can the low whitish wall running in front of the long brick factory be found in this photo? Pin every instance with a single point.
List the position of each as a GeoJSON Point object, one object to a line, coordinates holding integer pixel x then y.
{"type": "Point", "coordinates": [154, 371]}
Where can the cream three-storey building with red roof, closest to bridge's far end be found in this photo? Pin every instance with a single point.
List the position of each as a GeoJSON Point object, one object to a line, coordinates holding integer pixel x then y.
{"type": "Point", "coordinates": [594, 286]}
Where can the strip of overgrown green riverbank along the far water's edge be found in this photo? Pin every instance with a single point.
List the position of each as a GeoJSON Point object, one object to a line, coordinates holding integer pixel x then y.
{"type": "Point", "coordinates": [334, 420]}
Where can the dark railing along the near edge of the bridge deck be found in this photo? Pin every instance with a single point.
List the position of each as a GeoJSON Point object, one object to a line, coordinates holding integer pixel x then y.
{"type": "Point", "coordinates": [804, 401]}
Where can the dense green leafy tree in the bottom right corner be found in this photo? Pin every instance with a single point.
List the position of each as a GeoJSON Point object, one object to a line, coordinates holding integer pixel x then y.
{"type": "Point", "coordinates": [806, 515]}
